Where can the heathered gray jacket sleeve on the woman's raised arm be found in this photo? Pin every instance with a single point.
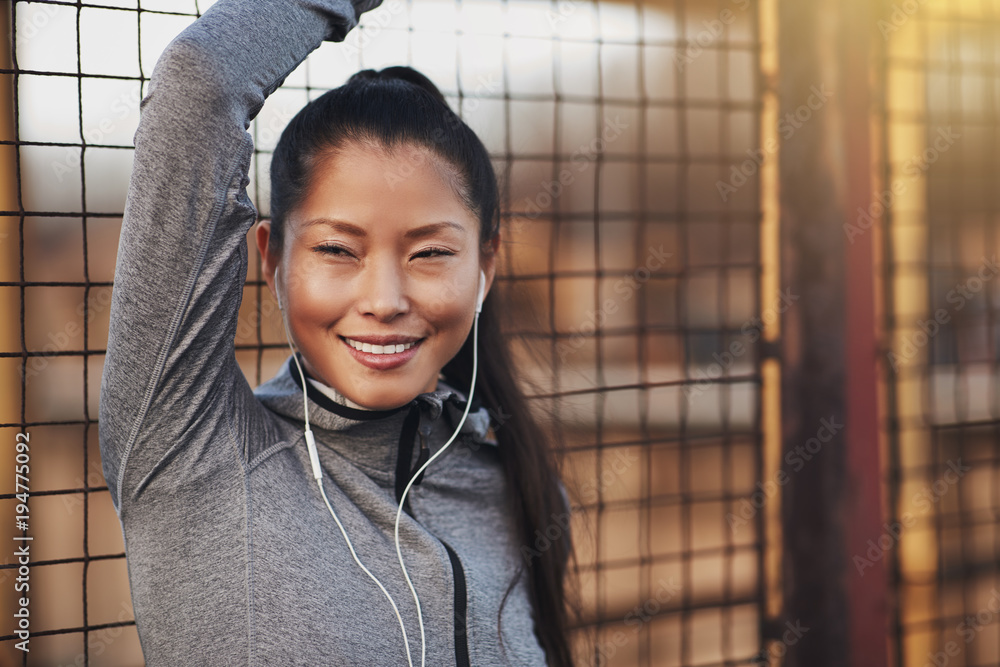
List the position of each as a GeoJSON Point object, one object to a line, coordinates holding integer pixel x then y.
{"type": "Point", "coordinates": [171, 389]}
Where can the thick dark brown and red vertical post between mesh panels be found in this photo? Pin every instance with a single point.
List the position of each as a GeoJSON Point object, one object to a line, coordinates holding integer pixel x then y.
{"type": "Point", "coordinates": [833, 500]}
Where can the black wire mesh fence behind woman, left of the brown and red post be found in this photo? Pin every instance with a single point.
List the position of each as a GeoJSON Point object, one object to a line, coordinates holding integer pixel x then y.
{"type": "Point", "coordinates": [626, 137]}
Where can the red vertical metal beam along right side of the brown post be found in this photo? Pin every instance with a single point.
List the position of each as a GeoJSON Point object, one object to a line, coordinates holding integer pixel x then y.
{"type": "Point", "coordinates": [867, 589]}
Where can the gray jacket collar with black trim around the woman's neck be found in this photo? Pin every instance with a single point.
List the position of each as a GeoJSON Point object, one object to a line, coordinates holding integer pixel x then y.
{"type": "Point", "coordinates": [380, 439]}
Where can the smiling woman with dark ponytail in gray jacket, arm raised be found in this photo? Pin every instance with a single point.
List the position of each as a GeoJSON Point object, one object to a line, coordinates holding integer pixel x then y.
{"type": "Point", "coordinates": [273, 526]}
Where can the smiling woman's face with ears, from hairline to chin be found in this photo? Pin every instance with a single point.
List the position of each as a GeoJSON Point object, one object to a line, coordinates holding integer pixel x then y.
{"type": "Point", "coordinates": [382, 252]}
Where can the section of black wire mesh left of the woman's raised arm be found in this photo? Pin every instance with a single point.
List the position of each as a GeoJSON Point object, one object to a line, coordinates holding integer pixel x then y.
{"type": "Point", "coordinates": [75, 93]}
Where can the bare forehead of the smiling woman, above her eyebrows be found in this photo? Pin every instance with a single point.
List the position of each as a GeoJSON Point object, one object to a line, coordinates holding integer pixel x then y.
{"type": "Point", "coordinates": [385, 190]}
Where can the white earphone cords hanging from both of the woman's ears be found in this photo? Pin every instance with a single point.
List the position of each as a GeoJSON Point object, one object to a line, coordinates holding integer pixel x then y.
{"type": "Point", "coordinates": [318, 471]}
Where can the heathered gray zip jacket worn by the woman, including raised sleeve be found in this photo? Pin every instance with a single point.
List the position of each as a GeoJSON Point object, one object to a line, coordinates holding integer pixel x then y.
{"type": "Point", "coordinates": [233, 558]}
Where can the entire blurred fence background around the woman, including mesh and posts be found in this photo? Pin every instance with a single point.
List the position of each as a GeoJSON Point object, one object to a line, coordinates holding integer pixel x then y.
{"type": "Point", "coordinates": [749, 244]}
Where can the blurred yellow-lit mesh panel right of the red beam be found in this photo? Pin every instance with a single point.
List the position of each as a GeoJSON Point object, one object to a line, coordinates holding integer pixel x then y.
{"type": "Point", "coordinates": [942, 117]}
